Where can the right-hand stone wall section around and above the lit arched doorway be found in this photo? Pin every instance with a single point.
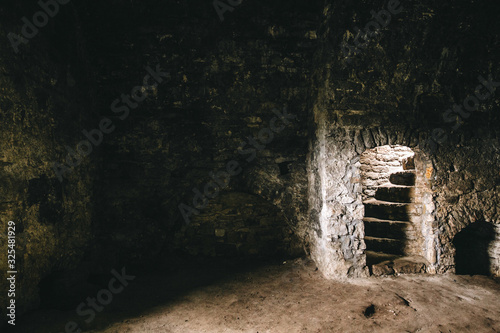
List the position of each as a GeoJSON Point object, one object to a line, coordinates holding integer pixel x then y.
{"type": "Point", "coordinates": [395, 91]}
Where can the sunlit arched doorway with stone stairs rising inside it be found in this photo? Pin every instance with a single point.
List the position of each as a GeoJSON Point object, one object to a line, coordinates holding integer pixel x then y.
{"type": "Point", "coordinates": [398, 206]}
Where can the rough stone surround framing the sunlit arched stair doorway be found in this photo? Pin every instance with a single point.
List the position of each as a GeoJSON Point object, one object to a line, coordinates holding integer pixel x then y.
{"type": "Point", "coordinates": [336, 209]}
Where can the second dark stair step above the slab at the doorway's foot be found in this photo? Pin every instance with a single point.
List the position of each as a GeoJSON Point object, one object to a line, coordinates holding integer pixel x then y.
{"type": "Point", "coordinates": [388, 229]}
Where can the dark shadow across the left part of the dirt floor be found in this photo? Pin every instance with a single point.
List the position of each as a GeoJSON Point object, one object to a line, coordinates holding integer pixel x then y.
{"type": "Point", "coordinates": [152, 287]}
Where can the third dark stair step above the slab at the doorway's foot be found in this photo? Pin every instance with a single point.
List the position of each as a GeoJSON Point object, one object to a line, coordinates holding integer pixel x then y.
{"type": "Point", "coordinates": [386, 210]}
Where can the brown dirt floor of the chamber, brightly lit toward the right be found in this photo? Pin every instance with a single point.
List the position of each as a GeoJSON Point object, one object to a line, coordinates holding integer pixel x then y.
{"type": "Point", "coordinates": [286, 297]}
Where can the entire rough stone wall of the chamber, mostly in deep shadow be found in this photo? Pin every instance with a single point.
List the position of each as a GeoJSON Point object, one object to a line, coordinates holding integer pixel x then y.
{"type": "Point", "coordinates": [223, 83]}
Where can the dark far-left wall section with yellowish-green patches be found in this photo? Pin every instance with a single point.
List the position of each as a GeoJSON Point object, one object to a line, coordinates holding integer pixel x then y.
{"type": "Point", "coordinates": [45, 103]}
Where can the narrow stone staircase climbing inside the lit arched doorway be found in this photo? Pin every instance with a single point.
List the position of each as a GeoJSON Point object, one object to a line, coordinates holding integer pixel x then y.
{"type": "Point", "coordinates": [388, 226]}
